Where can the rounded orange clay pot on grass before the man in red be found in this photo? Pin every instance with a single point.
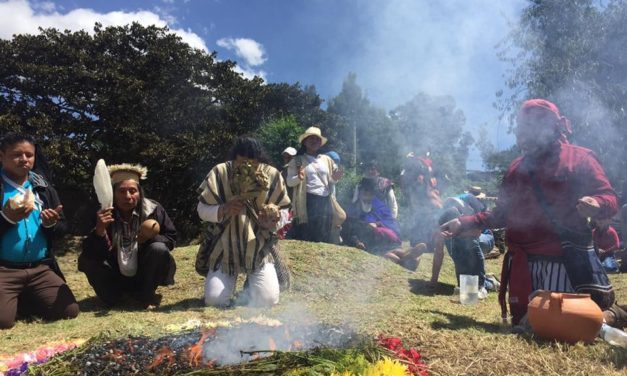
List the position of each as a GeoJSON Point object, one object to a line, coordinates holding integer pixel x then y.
{"type": "Point", "coordinates": [565, 317]}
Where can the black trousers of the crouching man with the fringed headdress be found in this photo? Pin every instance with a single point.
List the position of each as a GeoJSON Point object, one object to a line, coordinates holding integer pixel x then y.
{"type": "Point", "coordinates": [156, 267]}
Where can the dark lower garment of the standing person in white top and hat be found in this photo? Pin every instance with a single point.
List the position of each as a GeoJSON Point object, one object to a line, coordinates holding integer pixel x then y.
{"type": "Point", "coordinates": [318, 226]}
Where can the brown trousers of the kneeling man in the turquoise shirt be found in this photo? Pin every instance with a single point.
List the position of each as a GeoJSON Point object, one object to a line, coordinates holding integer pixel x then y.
{"type": "Point", "coordinates": [34, 291]}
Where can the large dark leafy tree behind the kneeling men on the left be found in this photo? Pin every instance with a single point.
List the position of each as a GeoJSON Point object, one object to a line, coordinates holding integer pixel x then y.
{"type": "Point", "coordinates": [133, 94]}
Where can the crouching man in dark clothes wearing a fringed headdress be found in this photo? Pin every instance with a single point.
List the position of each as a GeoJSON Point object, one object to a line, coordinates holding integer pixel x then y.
{"type": "Point", "coordinates": [126, 251]}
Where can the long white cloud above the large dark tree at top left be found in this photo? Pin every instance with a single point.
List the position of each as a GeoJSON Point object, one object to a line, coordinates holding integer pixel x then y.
{"type": "Point", "coordinates": [24, 17]}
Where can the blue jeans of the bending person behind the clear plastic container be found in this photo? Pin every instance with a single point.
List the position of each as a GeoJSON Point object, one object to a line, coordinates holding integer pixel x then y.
{"type": "Point", "coordinates": [468, 257]}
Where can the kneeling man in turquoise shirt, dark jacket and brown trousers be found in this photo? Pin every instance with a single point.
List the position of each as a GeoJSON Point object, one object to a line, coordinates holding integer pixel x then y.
{"type": "Point", "coordinates": [31, 218]}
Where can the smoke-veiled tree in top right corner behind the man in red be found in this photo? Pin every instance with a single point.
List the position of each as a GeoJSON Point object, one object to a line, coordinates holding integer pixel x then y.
{"type": "Point", "coordinates": [572, 52]}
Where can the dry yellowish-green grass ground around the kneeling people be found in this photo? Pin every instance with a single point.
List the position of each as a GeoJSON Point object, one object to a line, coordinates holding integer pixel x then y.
{"type": "Point", "coordinates": [340, 285]}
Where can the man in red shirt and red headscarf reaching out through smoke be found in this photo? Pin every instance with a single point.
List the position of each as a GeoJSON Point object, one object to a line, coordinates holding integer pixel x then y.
{"type": "Point", "coordinates": [546, 200]}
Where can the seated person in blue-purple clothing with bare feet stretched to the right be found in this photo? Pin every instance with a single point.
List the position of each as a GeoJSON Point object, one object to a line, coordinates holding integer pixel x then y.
{"type": "Point", "coordinates": [371, 227]}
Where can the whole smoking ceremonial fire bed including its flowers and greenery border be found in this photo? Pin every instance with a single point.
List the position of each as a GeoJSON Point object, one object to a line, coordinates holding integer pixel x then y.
{"type": "Point", "coordinates": [258, 345]}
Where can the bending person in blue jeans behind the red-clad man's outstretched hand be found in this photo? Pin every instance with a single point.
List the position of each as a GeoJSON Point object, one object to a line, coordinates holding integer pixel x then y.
{"type": "Point", "coordinates": [465, 251]}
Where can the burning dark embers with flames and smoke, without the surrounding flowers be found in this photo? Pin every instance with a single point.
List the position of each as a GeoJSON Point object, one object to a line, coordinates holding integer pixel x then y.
{"type": "Point", "coordinates": [205, 348]}
